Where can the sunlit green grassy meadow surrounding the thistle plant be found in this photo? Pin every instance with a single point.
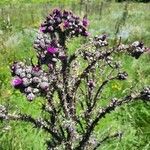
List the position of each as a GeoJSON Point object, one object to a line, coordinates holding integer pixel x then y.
{"type": "Point", "coordinates": [19, 23]}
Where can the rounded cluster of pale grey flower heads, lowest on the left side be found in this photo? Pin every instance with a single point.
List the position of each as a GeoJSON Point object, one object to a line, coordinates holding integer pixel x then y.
{"type": "Point", "coordinates": [31, 80]}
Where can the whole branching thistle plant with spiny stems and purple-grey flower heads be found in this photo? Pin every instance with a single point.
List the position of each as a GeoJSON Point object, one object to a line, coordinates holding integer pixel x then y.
{"type": "Point", "coordinates": [72, 85]}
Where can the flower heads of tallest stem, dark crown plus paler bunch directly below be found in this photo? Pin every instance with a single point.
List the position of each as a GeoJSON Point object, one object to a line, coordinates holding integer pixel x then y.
{"type": "Point", "coordinates": [53, 32]}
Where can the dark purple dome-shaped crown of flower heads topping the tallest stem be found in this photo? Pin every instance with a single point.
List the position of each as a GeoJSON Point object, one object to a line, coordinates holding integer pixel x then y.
{"type": "Point", "coordinates": [66, 22]}
